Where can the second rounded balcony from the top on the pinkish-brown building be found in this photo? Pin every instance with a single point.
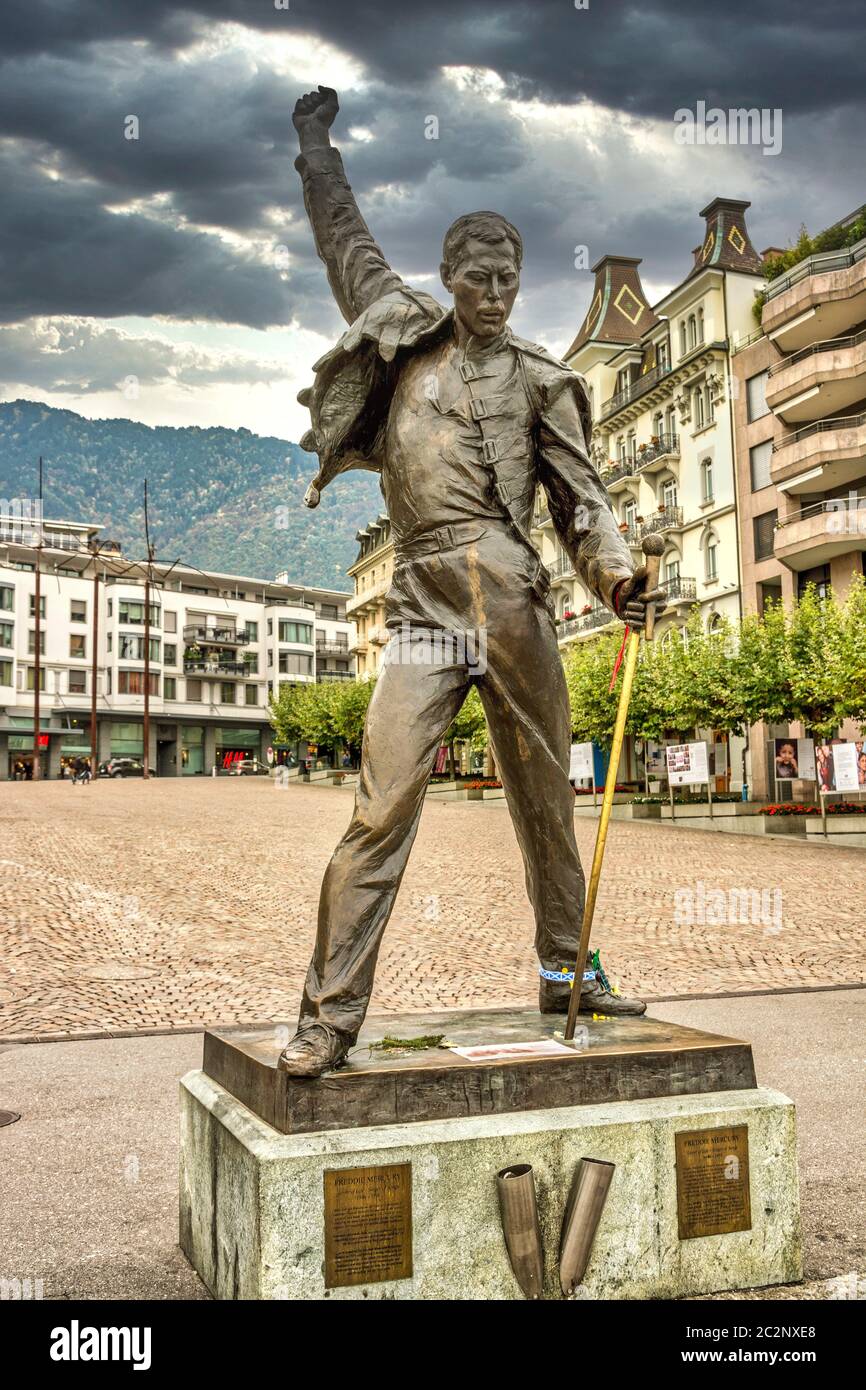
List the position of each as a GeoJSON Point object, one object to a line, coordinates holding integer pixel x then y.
{"type": "Point", "coordinates": [819, 380]}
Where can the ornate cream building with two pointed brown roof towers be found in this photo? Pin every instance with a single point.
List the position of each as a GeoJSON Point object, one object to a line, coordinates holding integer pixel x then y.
{"type": "Point", "coordinates": [664, 432]}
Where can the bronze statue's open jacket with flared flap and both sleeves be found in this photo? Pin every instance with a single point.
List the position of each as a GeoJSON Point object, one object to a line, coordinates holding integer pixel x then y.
{"type": "Point", "coordinates": [390, 322]}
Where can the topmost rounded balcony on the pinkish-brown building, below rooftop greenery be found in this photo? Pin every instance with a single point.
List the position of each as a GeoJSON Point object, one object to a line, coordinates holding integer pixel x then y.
{"type": "Point", "coordinates": [821, 298]}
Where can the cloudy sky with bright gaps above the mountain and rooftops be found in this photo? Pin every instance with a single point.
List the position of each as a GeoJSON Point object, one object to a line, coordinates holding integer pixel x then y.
{"type": "Point", "coordinates": [172, 279]}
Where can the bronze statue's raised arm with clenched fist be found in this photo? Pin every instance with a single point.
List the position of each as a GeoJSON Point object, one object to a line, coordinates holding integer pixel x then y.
{"type": "Point", "coordinates": [358, 272]}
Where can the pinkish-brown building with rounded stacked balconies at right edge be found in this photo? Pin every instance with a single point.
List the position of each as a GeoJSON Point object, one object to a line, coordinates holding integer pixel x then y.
{"type": "Point", "coordinates": [800, 418]}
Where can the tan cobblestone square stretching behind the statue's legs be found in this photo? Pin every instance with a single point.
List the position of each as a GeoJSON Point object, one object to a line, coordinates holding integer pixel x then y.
{"type": "Point", "coordinates": [130, 906]}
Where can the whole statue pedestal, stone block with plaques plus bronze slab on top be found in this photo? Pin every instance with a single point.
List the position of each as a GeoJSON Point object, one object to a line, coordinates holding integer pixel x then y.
{"type": "Point", "coordinates": [266, 1161]}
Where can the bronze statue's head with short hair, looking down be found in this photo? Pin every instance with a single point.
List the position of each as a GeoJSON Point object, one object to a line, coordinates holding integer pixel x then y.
{"type": "Point", "coordinates": [482, 261]}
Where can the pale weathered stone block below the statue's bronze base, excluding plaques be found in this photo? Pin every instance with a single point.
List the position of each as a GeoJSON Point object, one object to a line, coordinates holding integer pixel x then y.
{"type": "Point", "coordinates": [254, 1210]}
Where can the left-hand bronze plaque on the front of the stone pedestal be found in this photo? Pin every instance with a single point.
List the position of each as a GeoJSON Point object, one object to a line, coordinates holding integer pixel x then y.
{"type": "Point", "coordinates": [368, 1225]}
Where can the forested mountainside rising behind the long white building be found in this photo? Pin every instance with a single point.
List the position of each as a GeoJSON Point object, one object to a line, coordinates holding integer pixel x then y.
{"type": "Point", "coordinates": [222, 500]}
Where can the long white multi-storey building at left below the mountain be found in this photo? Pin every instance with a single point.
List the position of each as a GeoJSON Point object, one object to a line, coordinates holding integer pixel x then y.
{"type": "Point", "coordinates": [219, 646]}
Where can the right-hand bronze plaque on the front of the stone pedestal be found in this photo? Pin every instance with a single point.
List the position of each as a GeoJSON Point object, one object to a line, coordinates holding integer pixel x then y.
{"type": "Point", "coordinates": [714, 1182]}
